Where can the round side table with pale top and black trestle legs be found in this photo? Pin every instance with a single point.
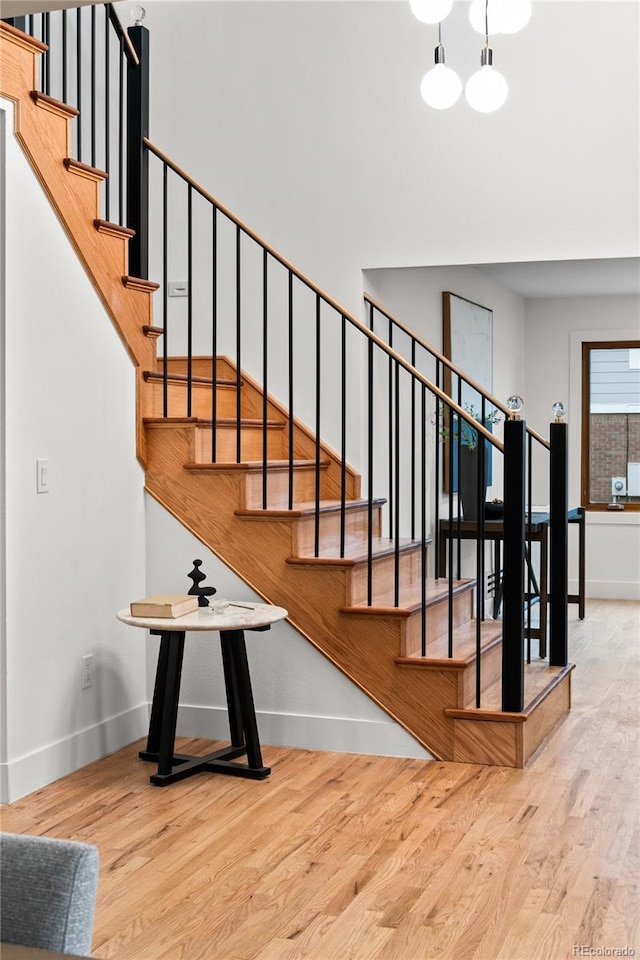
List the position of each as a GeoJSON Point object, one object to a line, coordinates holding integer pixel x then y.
{"type": "Point", "coordinates": [230, 624]}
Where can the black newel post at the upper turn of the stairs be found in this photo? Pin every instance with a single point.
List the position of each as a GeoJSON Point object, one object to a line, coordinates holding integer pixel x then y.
{"type": "Point", "coordinates": [137, 156]}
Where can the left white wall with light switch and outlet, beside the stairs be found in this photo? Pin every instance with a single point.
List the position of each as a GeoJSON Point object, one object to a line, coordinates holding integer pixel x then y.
{"type": "Point", "coordinates": [75, 555]}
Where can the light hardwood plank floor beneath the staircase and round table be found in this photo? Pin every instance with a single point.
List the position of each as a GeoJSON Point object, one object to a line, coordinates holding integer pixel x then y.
{"type": "Point", "coordinates": [347, 857]}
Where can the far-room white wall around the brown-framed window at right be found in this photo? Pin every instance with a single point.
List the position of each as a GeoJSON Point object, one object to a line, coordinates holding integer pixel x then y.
{"type": "Point", "coordinates": [555, 330]}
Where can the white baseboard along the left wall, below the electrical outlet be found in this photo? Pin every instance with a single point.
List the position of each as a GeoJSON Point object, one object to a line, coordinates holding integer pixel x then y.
{"type": "Point", "coordinates": [25, 774]}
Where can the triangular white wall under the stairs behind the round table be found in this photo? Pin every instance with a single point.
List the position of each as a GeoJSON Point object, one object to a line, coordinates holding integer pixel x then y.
{"type": "Point", "coordinates": [301, 699]}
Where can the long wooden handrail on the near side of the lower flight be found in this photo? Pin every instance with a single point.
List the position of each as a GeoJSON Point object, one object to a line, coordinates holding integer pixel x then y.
{"type": "Point", "coordinates": [460, 411]}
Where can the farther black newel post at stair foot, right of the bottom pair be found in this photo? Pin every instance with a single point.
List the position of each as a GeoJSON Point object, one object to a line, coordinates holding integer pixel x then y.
{"type": "Point", "coordinates": [558, 565]}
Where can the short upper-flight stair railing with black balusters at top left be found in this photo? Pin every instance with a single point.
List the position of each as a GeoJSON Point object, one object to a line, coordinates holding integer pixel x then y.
{"type": "Point", "coordinates": [89, 64]}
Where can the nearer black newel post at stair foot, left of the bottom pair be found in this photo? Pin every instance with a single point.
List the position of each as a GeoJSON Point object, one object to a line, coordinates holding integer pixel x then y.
{"type": "Point", "coordinates": [513, 579]}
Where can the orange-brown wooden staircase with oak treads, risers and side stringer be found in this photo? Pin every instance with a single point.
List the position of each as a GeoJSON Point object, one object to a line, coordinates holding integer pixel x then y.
{"type": "Point", "coordinates": [279, 506]}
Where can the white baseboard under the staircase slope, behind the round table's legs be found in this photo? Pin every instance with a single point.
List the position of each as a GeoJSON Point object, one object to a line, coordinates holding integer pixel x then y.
{"type": "Point", "coordinates": [344, 735]}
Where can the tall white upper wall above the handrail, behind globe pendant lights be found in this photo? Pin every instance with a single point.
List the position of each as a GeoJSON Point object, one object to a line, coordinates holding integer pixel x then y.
{"type": "Point", "coordinates": [305, 118]}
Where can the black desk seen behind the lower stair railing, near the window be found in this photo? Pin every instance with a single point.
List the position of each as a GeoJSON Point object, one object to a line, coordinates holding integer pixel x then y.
{"type": "Point", "coordinates": [536, 531]}
